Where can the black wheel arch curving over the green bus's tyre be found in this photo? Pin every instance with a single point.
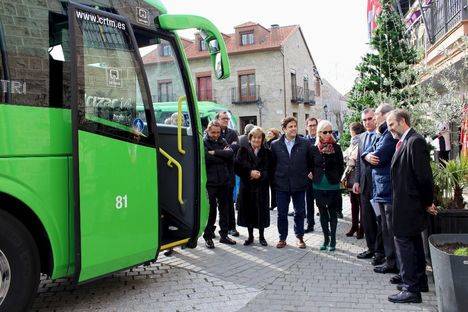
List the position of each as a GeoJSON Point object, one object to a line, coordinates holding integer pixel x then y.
{"type": "Point", "coordinates": [30, 220]}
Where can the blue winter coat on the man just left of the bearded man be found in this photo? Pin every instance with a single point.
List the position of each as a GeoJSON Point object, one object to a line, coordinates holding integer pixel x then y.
{"type": "Point", "coordinates": [384, 148]}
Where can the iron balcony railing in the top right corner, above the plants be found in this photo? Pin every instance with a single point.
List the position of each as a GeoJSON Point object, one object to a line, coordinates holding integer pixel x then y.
{"type": "Point", "coordinates": [442, 15]}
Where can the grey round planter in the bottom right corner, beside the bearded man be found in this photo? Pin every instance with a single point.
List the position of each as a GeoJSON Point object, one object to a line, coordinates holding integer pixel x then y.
{"type": "Point", "coordinates": [450, 273]}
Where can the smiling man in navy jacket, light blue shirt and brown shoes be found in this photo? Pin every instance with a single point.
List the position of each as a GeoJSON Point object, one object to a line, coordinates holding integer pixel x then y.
{"type": "Point", "coordinates": [292, 163]}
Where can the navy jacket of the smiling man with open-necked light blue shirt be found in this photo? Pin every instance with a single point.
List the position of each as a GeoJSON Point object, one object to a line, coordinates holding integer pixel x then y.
{"type": "Point", "coordinates": [291, 171]}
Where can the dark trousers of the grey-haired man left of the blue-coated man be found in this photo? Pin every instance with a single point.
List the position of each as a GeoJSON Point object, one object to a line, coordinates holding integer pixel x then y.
{"type": "Point", "coordinates": [370, 224]}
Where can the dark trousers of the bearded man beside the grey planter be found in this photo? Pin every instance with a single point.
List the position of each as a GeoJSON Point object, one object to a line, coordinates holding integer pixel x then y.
{"type": "Point", "coordinates": [410, 253]}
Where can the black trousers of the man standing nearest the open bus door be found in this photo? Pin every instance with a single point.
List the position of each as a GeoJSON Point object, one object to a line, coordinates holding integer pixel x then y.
{"type": "Point", "coordinates": [218, 198]}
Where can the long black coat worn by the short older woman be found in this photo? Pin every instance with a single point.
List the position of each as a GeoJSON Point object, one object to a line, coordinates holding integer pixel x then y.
{"type": "Point", "coordinates": [253, 199]}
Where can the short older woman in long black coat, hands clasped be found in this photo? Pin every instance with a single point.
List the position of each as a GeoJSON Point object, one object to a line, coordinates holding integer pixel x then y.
{"type": "Point", "coordinates": [251, 165]}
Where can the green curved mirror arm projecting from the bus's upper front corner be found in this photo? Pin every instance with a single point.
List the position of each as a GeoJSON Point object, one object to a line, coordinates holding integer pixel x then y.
{"type": "Point", "coordinates": [208, 32]}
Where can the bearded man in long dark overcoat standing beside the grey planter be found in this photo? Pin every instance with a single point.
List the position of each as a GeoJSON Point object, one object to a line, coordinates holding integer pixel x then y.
{"type": "Point", "coordinates": [412, 192]}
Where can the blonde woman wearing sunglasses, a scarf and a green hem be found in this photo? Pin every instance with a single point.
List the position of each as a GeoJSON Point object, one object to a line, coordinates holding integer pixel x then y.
{"type": "Point", "coordinates": [328, 167]}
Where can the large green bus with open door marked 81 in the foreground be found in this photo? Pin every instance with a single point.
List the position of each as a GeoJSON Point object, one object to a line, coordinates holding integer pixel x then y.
{"type": "Point", "coordinates": [90, 182]}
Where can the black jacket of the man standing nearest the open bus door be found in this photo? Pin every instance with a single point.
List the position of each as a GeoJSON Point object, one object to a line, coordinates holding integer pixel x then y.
{"type": "Point", "coordinates": [217, 165]}
